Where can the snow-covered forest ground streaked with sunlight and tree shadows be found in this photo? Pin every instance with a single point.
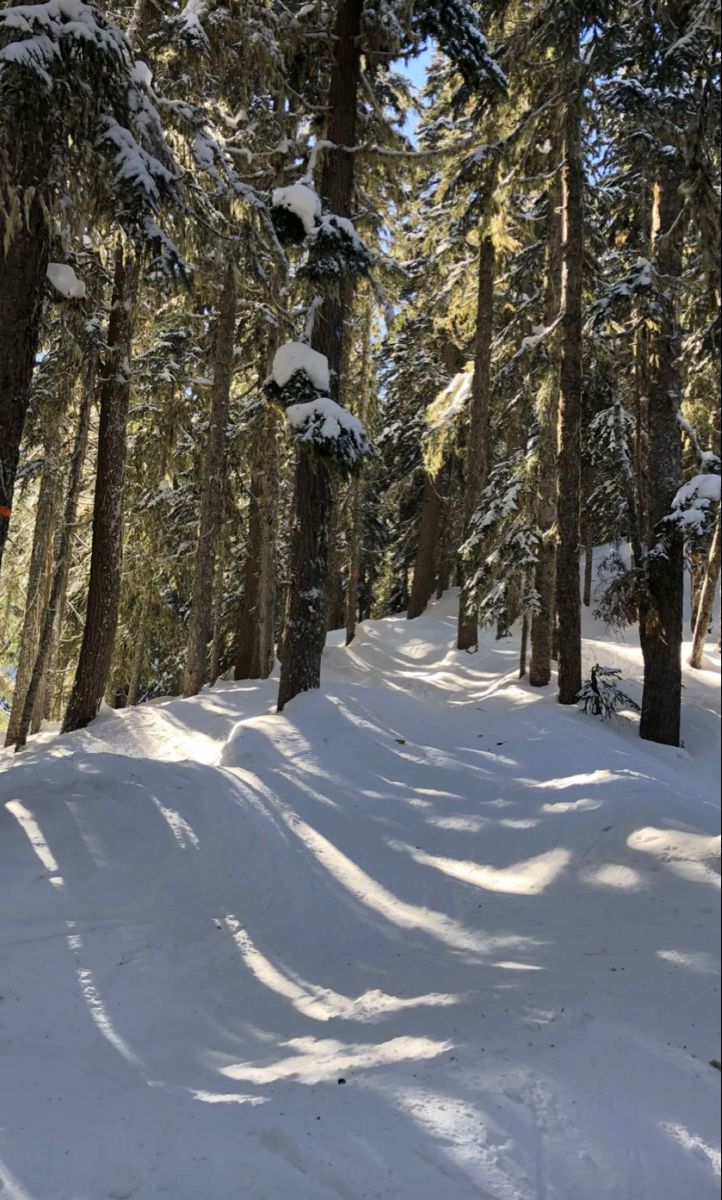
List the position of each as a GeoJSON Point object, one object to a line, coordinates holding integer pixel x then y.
{"type": "Point", "coordinates": [425, 937]}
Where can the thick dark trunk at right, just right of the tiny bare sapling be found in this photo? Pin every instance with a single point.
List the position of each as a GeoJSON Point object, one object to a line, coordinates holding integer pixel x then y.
{"type": "Point", "coordinates": [663, 619]}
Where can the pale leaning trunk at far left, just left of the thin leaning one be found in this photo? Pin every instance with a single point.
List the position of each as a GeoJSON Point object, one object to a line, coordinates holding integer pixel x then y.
{"type": "Point", "coordinates": [40, 569]}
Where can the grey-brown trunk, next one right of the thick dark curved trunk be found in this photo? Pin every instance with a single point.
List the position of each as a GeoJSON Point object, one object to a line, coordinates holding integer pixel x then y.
{"type": "Point", "coordinates": [212, 501]}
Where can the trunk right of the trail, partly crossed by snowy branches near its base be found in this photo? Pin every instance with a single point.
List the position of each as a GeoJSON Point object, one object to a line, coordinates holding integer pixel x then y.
{"type": "Point", "coordinates": [479, 451]}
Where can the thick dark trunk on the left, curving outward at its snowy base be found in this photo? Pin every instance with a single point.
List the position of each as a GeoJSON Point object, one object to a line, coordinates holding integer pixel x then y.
{"type": "Point", "coordinates": [106, 562]}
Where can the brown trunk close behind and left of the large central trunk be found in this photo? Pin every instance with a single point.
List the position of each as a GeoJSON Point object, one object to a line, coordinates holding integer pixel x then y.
{"type": "Point", "coordinates": [257, 626]}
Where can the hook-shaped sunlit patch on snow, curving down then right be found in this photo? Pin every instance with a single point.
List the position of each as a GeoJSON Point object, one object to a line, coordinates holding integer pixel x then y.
{"type": "Point", "coordinates": [324, 1004]}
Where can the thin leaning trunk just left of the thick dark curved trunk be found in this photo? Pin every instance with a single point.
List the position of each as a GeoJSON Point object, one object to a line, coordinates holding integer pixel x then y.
{"type": "Point", "coordinates": [62, 556]}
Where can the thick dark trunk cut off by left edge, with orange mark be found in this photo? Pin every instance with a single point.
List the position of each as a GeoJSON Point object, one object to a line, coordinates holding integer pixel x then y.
{"type": "Point", "coordinates": [23, 266]}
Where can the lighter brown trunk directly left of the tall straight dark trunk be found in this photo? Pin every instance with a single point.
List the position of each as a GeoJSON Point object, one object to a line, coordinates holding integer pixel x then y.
{"type": "Point", "coordinates": [545, 577]}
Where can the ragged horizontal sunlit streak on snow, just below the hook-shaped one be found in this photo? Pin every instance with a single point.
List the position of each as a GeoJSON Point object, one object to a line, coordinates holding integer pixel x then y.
{"type": "Point", "coordinates": [317, 1061]}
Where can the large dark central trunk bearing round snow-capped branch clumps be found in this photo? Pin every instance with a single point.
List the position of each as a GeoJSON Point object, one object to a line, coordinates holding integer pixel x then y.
{"type": "Point", "coordinates": [314, 496]}
